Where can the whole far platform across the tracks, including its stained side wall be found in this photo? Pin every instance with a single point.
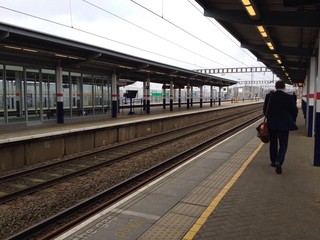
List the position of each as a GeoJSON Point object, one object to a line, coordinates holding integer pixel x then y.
{"type": "Point", "coordinates": [53, 141]}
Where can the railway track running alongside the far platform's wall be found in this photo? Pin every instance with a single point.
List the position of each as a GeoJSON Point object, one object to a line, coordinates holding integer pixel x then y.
{"type": "Point", "coordinates": [27, 182]}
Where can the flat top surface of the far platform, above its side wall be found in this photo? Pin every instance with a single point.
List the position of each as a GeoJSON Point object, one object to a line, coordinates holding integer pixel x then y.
{"type": "Point", "coordinates": [33, 130]}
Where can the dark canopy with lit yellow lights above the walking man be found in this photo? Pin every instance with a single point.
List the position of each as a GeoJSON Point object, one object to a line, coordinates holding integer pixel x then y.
{"type": "Point", "coordinates": [283, 34]}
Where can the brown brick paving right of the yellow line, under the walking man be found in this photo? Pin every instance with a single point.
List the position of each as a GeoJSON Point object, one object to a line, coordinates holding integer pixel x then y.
{"type": "Point", "coordinates": [264, 205]}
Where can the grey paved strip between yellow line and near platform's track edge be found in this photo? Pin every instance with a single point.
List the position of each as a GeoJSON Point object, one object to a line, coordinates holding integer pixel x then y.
{"type": "Point", "coordinates": [168, 207]}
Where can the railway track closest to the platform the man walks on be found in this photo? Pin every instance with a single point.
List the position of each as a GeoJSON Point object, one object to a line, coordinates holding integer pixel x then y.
{"type": "Point", "coordinates": [135, 182]}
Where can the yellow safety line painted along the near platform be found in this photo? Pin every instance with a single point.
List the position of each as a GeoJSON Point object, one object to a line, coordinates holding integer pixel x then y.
{"type": "Point", "coordinates": [205, 215]}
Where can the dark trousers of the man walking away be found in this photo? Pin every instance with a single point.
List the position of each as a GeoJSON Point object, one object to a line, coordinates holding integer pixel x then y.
{"type": "Point", "coordinates": [277, 155]}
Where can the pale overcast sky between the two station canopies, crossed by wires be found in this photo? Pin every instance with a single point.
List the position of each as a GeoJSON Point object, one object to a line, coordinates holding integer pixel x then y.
{"type": "Point", "coordinates": [173, 32]}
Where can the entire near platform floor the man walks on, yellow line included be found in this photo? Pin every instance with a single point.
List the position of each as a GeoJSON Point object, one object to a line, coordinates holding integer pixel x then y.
{"type": "Point", "coordinates": [228, 192]}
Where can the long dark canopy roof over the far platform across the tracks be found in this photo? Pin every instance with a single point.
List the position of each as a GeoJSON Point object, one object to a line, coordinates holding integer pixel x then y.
{"type": "Point", "coordinates": [34, 49]}
